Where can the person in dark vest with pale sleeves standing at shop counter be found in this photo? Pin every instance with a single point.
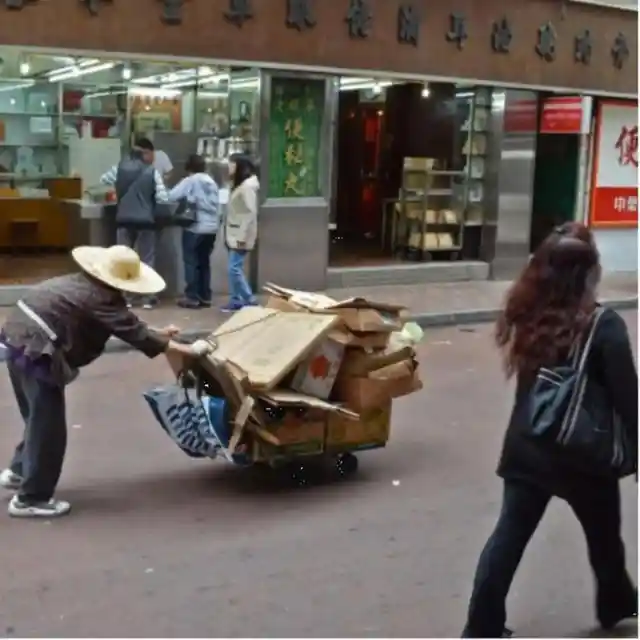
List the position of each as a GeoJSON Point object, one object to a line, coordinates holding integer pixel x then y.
{"type": "Point", "coordinates": [139, 187]}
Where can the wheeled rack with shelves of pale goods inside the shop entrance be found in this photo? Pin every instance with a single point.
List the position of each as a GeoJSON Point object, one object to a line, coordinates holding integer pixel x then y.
{"type": "Point", "coordinates": [430, 212]}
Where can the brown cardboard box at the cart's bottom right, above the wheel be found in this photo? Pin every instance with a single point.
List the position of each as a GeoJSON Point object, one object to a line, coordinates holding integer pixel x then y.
{"type": "Point", "coordinates": [370, 431]}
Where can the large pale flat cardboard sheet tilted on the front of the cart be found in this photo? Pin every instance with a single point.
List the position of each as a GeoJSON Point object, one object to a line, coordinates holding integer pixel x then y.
{"type": "Point", "coordinates": [268, 344]}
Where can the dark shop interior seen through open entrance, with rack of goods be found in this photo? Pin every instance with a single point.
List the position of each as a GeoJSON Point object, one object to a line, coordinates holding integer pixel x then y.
{"type": "Point", "coordinates": [409, 171]}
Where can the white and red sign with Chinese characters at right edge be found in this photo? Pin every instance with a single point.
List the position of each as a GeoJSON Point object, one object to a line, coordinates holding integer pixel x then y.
{"type": "Point", "coordinates": [614, 183]}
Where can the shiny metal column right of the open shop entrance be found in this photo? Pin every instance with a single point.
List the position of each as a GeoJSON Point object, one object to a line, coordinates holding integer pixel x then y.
{"type": "Point", "coordinates": [511, 156]}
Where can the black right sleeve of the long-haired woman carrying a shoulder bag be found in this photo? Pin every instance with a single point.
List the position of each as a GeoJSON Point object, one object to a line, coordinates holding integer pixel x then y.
{"type": "Point", "coordinates": [620, 372]}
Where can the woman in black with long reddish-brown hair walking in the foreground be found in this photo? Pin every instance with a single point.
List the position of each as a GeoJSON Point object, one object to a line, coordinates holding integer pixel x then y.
{"type": "Point", "coordinates": [547, 310]}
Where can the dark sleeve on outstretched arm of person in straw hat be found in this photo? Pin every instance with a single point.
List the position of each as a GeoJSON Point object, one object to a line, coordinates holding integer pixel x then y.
{"type": "Point", "coordinates": [124, 324]}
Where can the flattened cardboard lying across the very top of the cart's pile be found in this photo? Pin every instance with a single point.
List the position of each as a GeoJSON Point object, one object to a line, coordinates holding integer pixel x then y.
{"type": "Point", "coordinates": [357, 314]}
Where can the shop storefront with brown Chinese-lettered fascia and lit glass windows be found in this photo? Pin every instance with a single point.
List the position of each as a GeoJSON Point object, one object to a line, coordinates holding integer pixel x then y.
{"type": "Point", "coordinates": [384, 129]}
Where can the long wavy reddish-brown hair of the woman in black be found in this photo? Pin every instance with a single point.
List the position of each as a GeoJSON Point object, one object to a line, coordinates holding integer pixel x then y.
{"type": "Point", "coordinates": [551, 302]}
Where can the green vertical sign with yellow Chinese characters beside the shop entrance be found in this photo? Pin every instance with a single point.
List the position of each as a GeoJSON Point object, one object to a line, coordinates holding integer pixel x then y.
{"type": "Point", "coordinates": [295, 122]}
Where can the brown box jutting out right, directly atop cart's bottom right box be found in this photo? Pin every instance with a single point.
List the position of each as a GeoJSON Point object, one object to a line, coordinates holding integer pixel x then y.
{"type": "Point", "coordinates": [362, 393]}
